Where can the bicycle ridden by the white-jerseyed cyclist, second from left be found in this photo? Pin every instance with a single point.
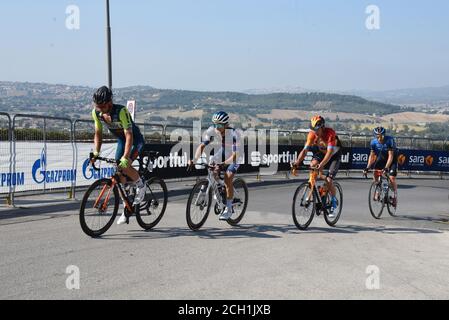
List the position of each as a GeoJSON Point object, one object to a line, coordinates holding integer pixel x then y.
{"type": "Point", "coordinates": [200, 199]}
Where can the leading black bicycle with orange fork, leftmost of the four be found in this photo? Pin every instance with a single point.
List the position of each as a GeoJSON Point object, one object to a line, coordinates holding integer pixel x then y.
{"type": "Point", "coordinates": [106, 191]}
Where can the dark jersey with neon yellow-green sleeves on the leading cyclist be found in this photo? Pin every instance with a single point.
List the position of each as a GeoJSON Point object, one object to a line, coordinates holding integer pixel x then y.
{"type": "Point", "coordinates": [120, 121]}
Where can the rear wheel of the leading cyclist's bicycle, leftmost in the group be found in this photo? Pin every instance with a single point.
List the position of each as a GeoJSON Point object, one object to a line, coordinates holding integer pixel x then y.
{"type": "Point", "coordinates": [154, 204]}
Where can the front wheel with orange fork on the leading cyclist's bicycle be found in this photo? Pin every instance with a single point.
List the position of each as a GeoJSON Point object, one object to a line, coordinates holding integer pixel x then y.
{"type": "Point", "coordinates": [96, 213]}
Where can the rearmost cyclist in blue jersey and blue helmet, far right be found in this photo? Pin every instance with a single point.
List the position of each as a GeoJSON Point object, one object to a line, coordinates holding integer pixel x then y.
{"type": "Point", "coordinates": [384, 156]}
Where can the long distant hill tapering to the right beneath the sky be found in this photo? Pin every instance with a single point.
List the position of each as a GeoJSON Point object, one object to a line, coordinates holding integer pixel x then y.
{"type": "Point", "coordinates": [76, 100]}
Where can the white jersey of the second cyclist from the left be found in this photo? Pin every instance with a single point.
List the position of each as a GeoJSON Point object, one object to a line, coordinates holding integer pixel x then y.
{"type": "Point", "coordinates": [230, 143]}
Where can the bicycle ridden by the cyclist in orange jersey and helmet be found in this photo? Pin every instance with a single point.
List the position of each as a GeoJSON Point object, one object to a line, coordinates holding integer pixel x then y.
{"type": "Point", "coordinates": [312, 199]}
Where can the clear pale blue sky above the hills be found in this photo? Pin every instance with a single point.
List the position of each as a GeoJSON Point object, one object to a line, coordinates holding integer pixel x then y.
{"type": "Point", "coordinates": [229, 45]}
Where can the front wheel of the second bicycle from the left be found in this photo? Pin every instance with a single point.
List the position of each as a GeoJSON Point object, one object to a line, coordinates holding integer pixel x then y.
{"type": "Point", "coordinates": [198, 205]}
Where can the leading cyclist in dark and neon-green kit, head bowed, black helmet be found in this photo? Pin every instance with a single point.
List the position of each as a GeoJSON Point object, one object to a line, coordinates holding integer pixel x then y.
{"type": "Point", "coordinates": [130, 141]}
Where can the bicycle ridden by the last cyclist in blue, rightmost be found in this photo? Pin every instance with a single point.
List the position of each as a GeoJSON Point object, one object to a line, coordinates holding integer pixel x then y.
{"type": "Point", "coordinates": [381, 194]}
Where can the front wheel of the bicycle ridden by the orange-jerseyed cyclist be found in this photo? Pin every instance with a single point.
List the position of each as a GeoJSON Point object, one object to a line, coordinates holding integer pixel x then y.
{"type": "Point", "coordinates": [303, 208]}
